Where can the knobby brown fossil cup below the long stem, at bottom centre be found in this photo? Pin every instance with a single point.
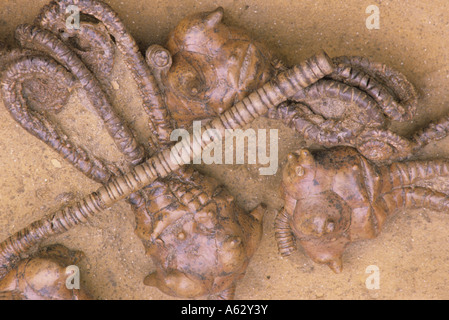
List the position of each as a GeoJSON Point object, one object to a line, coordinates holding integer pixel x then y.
{"type": "Point", "coordinates": [200, 240]}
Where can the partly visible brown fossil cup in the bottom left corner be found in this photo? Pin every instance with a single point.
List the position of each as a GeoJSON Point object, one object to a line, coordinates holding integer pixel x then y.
{"type": "Point", "coordinates": [43, 277]}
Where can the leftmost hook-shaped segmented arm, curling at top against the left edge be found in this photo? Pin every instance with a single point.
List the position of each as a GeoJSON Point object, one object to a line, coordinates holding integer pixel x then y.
{"type": "Point", "coordinates": [12, 85]}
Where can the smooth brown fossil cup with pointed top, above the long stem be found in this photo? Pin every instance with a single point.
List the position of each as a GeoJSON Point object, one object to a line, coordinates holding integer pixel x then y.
{"type": "Point", "coordinates": [208, 67]}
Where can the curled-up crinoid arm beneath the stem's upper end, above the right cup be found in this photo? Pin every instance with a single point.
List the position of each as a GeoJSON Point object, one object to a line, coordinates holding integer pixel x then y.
{"type": "Point", "coordinates": [330, 113]}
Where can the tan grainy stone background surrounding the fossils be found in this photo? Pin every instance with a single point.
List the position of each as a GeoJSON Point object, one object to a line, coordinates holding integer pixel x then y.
{"type": "Point", "coordinates": [412, 252]}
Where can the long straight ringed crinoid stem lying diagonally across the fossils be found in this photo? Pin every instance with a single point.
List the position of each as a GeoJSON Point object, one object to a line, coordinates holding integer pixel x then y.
{"type": "Point", "coordinates": [160, 165]}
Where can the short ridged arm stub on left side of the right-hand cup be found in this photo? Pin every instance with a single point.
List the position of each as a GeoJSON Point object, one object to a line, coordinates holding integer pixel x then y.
{"type": "Point", "coordinates": [283, 234]}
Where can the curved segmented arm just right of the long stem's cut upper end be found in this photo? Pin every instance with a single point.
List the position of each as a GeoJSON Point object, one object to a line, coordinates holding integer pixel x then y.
{"type": "Point", "coordinates": [387, 86]}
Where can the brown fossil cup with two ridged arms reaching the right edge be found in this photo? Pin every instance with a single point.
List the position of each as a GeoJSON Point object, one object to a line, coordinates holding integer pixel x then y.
{"type": "Point", "coordinates": [337, 196]}
